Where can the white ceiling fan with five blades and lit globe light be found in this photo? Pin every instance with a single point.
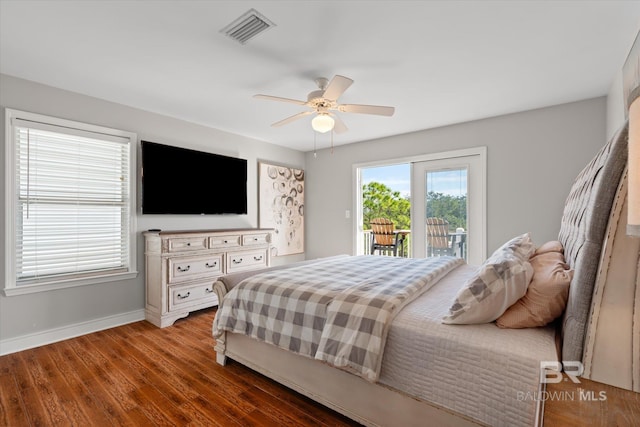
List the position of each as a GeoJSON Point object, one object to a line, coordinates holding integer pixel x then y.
{"type": "Point", "coordinates": [325, 100]}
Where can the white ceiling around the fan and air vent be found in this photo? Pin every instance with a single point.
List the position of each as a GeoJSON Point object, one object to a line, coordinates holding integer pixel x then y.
{"type": "Point", "coordinates": [437, 62]}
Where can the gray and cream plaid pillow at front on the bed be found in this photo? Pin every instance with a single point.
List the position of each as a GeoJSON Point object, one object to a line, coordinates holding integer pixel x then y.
{"type": "Point", "coordinates": [501, 281]}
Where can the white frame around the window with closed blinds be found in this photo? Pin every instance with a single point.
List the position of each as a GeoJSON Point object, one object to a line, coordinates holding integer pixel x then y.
{"type": "Point", "coordinates": [11, 286]}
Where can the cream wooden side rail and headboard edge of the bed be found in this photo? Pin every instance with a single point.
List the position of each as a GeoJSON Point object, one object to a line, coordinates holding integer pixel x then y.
{"type": "Point", "coordinates": [375, 404]}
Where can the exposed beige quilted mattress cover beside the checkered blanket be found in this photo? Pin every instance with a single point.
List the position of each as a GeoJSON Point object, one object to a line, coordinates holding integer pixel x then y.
{"type": "Point", "coordinates": [481, 371]}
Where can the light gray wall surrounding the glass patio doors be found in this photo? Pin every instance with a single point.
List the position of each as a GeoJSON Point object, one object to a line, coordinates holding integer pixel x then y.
{"type": "Point", "coordinates": [532, 159]}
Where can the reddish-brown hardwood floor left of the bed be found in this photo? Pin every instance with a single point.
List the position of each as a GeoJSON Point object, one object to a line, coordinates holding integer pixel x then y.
{"type": "Point", "coordinates": [140, 375]}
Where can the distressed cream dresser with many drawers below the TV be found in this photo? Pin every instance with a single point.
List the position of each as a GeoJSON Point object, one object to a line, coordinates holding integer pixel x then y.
{"type": "Point", "coordinates": [181, 267]}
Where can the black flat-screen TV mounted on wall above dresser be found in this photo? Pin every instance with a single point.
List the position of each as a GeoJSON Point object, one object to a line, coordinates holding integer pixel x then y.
{"type": "Point", "coordinates": [182, 181]}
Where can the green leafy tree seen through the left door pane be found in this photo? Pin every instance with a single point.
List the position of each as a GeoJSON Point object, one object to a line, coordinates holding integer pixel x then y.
{"type": "Point", "coordinates": [378, 200]}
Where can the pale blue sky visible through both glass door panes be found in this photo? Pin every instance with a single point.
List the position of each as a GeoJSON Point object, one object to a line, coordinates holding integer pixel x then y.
{"type": "Point", "coordinates": [398, 178]}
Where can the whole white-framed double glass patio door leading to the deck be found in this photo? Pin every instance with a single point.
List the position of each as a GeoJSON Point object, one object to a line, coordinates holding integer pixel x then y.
{"type": "Point", "coordinates": [436, 201]}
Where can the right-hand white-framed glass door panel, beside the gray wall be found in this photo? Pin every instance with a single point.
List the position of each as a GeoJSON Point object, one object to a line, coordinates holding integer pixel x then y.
{"type": "Point", "coordinates": [448, 208]}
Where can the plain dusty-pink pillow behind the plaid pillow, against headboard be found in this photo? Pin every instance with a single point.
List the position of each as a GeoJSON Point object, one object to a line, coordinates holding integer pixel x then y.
{"type": "Point", "coordinates": [546, 297]}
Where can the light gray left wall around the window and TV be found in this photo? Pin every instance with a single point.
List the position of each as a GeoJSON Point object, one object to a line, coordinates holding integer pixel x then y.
{"type": "Point", "coordinates": [33, 313]}
